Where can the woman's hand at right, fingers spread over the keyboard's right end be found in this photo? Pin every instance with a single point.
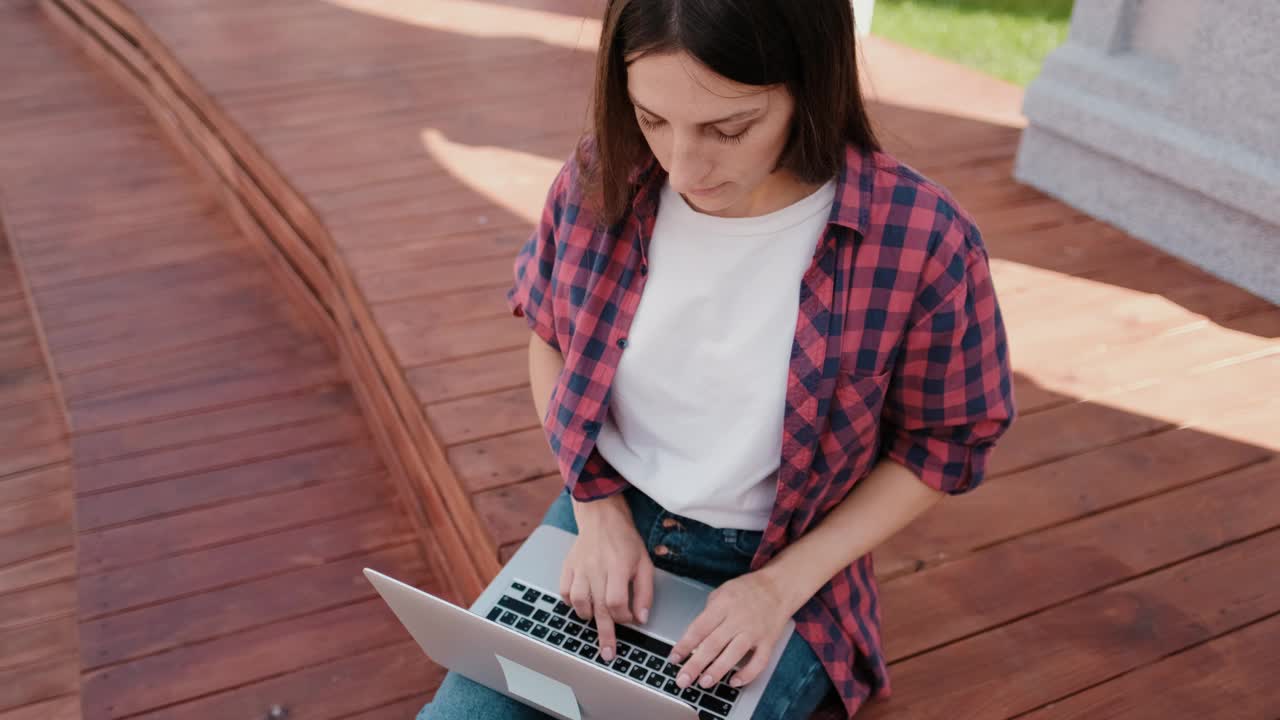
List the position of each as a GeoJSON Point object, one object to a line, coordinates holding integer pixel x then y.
{"type": "Point", "coordinates": [744, 614]}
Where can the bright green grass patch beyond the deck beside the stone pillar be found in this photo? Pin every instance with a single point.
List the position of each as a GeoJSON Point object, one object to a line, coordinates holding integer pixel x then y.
{"type": "Point", "coordinates": [1008, 39]}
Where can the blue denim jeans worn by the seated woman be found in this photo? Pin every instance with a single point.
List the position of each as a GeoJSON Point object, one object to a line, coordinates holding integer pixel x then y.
{"type": "Point", "coordinates": [696, 550]}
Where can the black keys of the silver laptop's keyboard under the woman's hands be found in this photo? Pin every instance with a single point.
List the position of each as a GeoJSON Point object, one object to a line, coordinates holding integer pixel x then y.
{"type": "Point", "coordinates": [641, 658]}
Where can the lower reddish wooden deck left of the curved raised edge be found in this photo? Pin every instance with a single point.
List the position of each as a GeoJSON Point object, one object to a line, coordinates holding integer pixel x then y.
{"type": "Point", "coordinates": [227, 490]}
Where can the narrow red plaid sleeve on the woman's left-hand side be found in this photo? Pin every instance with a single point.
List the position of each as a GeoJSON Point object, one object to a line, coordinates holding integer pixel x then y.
{"type": "Point", "coordinates": [532, 295]}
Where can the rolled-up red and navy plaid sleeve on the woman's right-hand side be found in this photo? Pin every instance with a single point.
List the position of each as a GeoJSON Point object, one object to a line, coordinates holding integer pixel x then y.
{"type": "Point", "coordinates": [952, 394]}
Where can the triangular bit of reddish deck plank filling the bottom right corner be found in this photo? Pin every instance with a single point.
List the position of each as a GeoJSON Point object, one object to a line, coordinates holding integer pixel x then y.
{"type": "Point", "coordinates": [1228, 677]}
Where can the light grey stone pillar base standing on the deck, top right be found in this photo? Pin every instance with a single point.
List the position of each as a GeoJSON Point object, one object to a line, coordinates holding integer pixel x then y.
{"type": "Point", "coordinates": [1163, 117]}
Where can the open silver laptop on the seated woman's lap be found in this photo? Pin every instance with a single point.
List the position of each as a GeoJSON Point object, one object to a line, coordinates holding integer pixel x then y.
{"type": "Point", "coordinates": [524, 641]}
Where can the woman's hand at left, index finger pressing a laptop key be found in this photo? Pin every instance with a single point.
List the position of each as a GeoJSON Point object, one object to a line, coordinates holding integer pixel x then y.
{"type": "Point", "coordinates": [609, 575]}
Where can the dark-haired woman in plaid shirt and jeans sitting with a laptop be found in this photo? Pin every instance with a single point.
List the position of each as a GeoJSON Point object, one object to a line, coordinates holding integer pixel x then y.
{"type": "Point", "coordinates": [761, 347]}
